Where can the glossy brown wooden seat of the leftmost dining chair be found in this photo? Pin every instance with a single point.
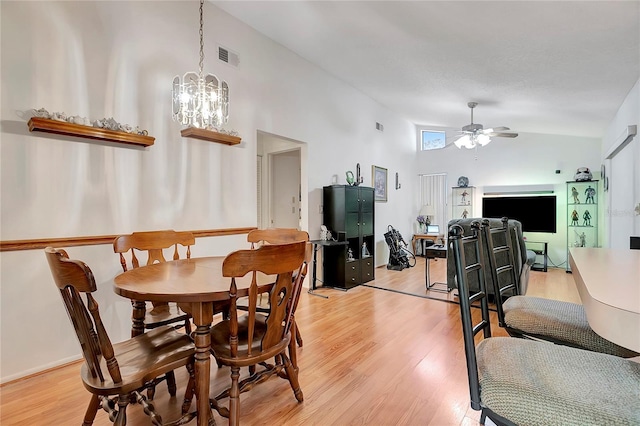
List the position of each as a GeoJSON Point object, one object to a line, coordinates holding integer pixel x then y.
{"type": "Point", "coordinates": [141, 359]}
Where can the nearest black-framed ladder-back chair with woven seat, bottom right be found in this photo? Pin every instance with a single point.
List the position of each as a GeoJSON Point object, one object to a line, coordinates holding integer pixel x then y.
{"type": "Point", "coordinates": [525, 382]}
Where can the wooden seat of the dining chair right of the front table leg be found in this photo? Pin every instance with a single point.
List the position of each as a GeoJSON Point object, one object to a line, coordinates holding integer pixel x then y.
{"type": "Point", "coordinates": [220, 343]}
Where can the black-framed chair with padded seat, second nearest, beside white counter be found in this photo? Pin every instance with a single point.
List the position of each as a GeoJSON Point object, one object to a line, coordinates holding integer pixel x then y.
{"type": "Point", "coordinates": [530, 317]}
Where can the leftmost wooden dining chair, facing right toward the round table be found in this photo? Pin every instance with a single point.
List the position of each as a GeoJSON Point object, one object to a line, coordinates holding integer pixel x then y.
{"type": "Point", "coordinates": [116, 374]}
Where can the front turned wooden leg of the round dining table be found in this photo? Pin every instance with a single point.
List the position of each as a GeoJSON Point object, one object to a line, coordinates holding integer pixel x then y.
{"type": "Point", "coordinates": [202, 314]}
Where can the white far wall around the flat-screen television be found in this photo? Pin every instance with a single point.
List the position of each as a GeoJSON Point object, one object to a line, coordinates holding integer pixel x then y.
{"type": "Point", "coordinates": [529, 159]}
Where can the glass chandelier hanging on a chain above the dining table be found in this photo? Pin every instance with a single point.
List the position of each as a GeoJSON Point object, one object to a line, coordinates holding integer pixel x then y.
{"type": "Point", "coordinates": [200, 101]}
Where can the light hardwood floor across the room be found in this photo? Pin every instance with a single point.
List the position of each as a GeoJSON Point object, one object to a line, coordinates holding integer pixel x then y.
{"type": "Point", "coordinates": [370, 357]}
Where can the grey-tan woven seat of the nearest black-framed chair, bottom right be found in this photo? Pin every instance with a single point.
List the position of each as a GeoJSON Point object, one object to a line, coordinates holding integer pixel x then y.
{"type": "Point", "coordinates": [532, 383]}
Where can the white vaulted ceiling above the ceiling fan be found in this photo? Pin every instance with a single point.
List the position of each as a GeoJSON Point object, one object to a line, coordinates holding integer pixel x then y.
{"type": "Point", "coordinates": [559, 67]}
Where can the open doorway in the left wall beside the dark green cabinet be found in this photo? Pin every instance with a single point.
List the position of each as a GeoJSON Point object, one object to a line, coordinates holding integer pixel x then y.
{"type": "Point", "coordinates": [282, 190]}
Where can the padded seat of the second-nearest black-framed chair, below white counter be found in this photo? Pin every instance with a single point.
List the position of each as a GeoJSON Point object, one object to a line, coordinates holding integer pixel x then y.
{"type": "Point", "coordinates": [558, 321]}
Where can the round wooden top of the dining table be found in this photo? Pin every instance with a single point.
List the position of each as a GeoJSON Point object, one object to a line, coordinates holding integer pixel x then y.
{"type": "Point", "coordinates": [185, 280]}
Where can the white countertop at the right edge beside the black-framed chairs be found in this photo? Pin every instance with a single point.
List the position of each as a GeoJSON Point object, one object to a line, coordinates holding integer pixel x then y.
{"type": "Point", "coordinates": [608, 282]}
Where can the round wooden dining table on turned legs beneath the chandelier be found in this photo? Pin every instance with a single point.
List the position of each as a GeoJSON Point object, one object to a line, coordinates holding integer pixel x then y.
{"type": "Point", "coordinates": [196, 284]}
